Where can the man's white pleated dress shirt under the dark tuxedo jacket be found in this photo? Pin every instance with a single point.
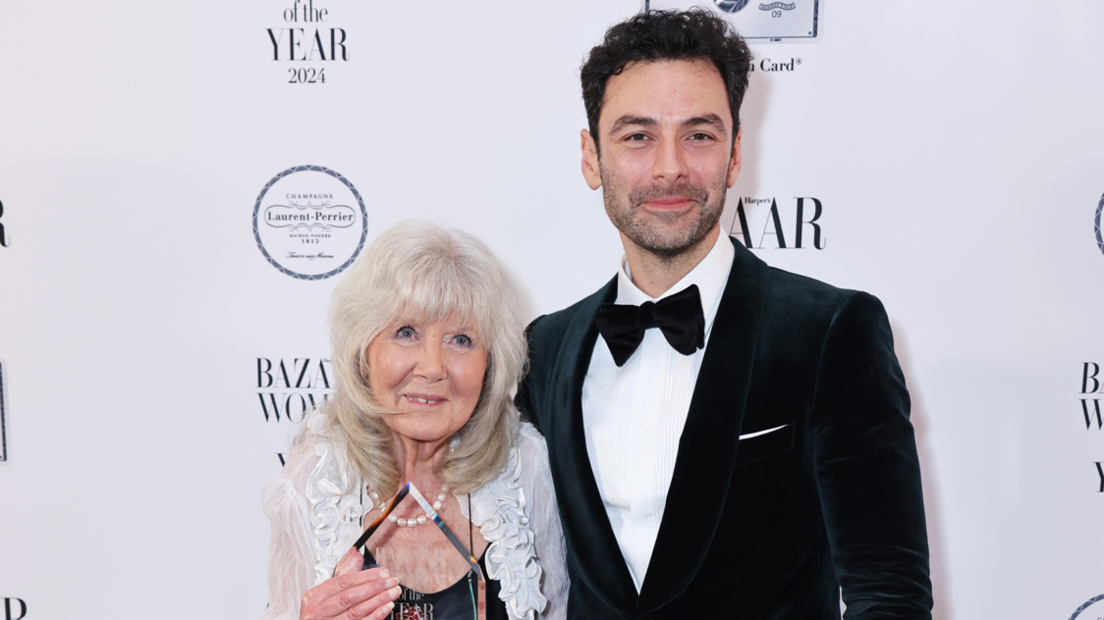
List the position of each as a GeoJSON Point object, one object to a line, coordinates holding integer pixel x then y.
{"type": "Point", "coordinates": [634, 415]}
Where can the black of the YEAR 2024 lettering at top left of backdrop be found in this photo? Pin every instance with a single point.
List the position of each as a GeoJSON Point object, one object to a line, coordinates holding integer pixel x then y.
{"type": "Point", "coordinates": [309, 38]}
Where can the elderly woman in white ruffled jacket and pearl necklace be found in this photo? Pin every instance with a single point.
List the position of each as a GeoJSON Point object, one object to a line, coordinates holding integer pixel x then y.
{"type": "Point", "coordinates": [428, 349]}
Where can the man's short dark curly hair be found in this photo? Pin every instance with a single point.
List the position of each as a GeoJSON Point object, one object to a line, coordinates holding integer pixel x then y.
{"type": "Point", "coordinates": [667, 36]}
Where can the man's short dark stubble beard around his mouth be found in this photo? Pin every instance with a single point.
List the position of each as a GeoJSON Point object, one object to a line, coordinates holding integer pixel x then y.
{"type": "Point", "coordinates": [647, 231]}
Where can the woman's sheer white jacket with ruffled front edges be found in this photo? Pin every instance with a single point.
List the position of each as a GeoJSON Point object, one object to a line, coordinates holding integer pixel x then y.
{"type": "Point", "coordinates": [314, 525]}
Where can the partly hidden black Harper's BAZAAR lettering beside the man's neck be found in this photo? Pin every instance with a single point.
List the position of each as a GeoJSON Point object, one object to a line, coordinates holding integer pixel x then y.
{"type": "Point", "coordinates": [766, 223]}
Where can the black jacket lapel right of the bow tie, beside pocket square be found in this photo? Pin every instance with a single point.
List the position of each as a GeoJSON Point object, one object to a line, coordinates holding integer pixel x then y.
{"type": "Point", "coordinates": [708, 446]}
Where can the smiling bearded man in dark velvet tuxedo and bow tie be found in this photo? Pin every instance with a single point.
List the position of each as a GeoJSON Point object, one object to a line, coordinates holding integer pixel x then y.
{"type": "Point", "coordinates": [727, 441]}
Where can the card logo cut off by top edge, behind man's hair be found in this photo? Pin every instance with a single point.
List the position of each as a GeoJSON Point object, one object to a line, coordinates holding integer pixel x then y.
{"type": "Point", "coordinates": [759, 22]}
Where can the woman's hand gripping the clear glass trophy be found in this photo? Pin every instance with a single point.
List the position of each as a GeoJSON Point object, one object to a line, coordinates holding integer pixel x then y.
{"type": "Point", "coordinates": [352, 593]}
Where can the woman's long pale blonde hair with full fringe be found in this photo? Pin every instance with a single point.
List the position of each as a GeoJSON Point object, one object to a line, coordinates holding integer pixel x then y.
{"type": "Point", "coordinates": [422, 273]}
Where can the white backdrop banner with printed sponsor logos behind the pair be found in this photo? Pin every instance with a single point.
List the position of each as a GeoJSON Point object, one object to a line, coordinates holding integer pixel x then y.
{"type": "Point", "coordinates": [182, 186]}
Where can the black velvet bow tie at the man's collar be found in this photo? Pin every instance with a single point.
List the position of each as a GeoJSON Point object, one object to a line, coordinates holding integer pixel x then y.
{"type": "Point", "coordinates": [680, 317]}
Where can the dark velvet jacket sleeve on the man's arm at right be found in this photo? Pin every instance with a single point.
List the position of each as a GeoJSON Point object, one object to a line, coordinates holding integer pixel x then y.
{"type": "Point", "coordinates": [868, 474]}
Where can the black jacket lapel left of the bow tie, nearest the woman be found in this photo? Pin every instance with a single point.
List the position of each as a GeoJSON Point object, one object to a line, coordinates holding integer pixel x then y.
{"type": "Point", "coordinates": [600, 563]}
